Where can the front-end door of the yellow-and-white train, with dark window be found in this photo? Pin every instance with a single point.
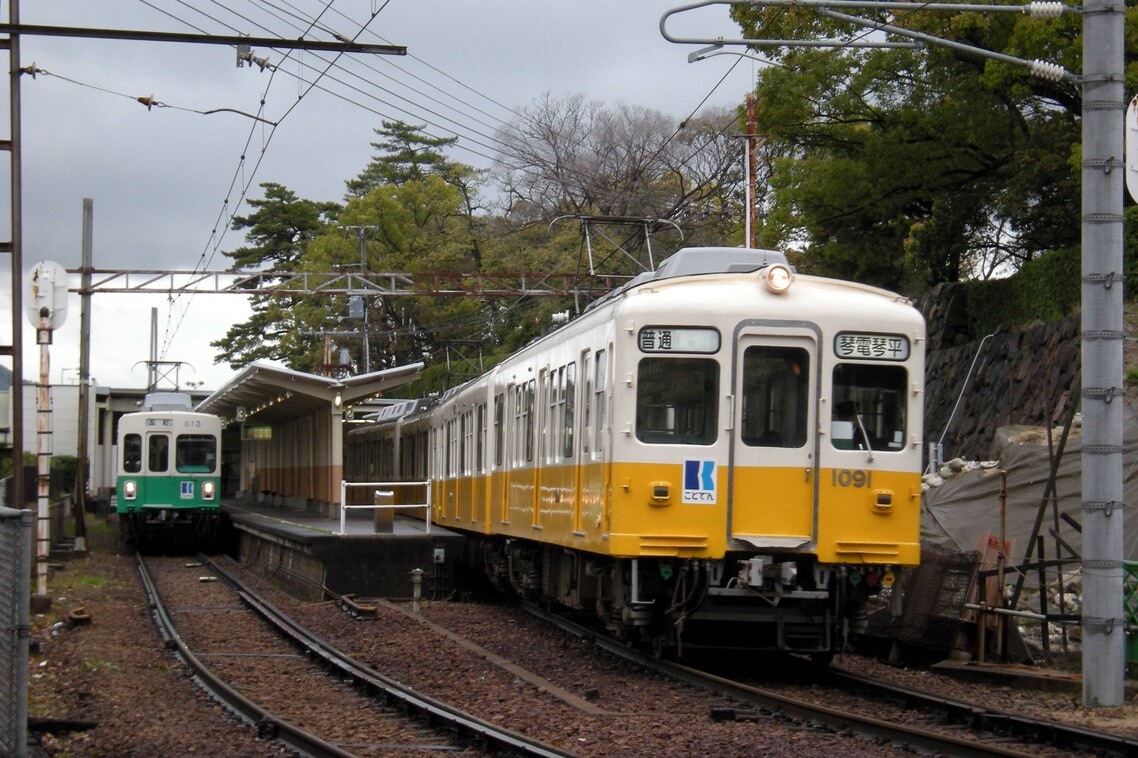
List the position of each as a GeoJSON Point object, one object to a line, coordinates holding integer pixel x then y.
{"type": "Point", "coordinates": [774, 455]}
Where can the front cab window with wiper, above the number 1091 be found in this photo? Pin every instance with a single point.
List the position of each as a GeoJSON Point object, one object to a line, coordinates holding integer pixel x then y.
{"type": "Point", "coordinates": [869, 407]}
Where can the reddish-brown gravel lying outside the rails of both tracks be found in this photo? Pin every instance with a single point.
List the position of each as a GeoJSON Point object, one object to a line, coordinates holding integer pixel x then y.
{"type": "Point", "coordinates": [116, 673]}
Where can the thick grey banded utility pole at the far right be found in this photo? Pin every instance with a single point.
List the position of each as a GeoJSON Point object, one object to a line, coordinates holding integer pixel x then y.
{"type": "Point", "coordinates": [1103, 177]}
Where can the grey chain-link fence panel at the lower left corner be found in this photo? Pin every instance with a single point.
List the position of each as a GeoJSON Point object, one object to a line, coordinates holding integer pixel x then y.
{"type": "Point", "coordinates": [15, 589]}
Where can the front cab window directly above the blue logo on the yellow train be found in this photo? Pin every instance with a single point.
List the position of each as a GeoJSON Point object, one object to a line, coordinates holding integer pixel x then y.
{"type": "Point", "coordinates": [678, 401]}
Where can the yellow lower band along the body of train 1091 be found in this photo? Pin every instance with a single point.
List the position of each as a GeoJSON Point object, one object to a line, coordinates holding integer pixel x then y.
{"type": "Point", "coordinates": [634, 510]}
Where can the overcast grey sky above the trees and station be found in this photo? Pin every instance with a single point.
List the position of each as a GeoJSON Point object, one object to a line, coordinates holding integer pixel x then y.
{"type": "Point", "coordinates": [164, 182]}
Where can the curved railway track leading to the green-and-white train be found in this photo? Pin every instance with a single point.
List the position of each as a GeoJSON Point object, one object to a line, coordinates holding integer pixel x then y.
{"type": "Point", "coordinates": [242, 649]}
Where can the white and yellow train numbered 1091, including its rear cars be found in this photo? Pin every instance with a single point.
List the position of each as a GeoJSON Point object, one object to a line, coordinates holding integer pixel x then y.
{"type": "Point", "coordinates": [723, 454]}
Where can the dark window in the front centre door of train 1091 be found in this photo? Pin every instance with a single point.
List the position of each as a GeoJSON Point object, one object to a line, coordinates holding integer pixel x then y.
{"type": "Point", "coordinates": [776, 398]}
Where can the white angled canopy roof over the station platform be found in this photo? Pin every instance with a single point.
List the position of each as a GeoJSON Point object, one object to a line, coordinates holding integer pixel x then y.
{"type": "Point", "coordinates": [269, 394]}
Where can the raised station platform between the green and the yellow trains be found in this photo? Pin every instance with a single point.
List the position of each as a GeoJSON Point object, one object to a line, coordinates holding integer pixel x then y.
{"type": "Point", "coordinates": [304, 554]}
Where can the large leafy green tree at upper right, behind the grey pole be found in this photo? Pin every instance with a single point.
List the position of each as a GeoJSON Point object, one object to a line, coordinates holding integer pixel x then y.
{"type": "Point", "coordinates": [909, 168]}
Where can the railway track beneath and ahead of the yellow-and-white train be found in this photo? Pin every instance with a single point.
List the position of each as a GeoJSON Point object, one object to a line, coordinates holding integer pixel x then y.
{"type": "Point", "coordinates": [930, 723]}
